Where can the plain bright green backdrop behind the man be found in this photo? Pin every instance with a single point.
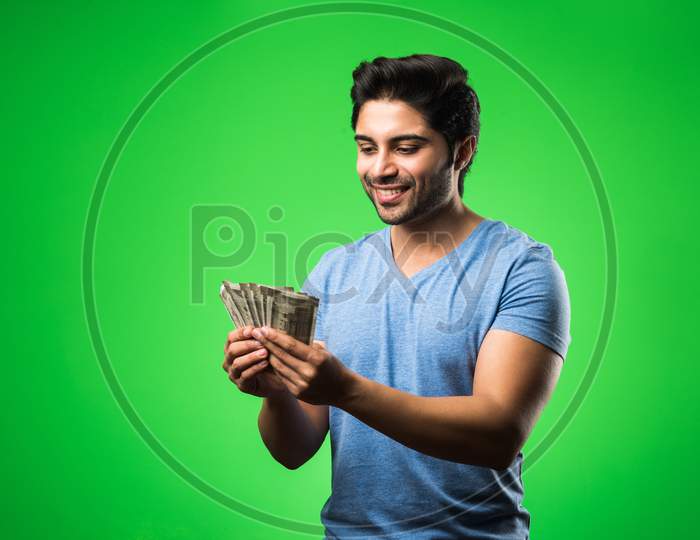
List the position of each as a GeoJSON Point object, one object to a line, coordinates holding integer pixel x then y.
{"type": "Point", "coordinates": [265, 122]}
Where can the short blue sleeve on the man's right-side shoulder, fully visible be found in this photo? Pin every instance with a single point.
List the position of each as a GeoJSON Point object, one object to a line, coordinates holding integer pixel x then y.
{"type": "Point", "coordinates": [535, 300]}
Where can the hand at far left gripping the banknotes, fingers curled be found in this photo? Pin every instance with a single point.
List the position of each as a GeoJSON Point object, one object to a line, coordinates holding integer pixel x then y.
{"type": "Point", "coordinates": [247, 366]}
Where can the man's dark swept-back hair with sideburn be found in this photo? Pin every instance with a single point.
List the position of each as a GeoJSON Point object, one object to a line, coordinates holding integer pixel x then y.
{"type": "Point", "coordinates": [433, 85]}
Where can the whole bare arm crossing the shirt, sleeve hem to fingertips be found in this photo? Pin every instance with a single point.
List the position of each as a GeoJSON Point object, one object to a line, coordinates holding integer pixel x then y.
{"type": "Point", "coordinates": [513, 381]}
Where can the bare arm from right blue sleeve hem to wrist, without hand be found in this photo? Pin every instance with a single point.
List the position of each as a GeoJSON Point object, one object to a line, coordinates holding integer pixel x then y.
{"type": "Point", "coordinates": [513, 381]}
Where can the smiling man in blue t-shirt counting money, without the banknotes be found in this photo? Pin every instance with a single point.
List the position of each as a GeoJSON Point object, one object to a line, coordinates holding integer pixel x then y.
{"type": "Point", "coordinates": [440, 338]}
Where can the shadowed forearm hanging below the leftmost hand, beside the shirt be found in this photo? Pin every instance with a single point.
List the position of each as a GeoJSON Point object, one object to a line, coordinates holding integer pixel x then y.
{"type": "Point", "coordinates": [287, 431]}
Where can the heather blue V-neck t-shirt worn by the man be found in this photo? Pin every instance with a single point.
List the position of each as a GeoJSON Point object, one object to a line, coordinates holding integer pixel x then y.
{"type": "Point", "coordinates": [422, 335]}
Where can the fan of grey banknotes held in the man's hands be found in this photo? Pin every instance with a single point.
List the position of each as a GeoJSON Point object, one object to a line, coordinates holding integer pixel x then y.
{"type": "Point", "coordinates": [277, 307]}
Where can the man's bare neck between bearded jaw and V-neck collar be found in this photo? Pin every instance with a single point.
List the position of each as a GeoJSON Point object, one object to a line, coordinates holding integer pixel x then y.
{"type": "Point", "coordinates": [437, 233]}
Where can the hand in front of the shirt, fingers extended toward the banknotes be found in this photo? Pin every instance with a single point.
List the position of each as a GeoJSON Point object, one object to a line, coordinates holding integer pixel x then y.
{"type": "Point", "coordinates": [310, 372]}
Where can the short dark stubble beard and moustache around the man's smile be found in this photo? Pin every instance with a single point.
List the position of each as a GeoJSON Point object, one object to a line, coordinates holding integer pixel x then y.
{"type": "Point", "coordinates": [416, 204]}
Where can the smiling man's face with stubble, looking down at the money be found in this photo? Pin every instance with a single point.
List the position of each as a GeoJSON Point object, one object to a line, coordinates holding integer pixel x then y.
{"type": "Point", "coordinates": [405, 177]}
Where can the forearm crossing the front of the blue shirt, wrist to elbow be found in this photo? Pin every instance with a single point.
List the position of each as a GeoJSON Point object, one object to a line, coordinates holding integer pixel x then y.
{"type": "Point", "coordinates": [464, 429]}
